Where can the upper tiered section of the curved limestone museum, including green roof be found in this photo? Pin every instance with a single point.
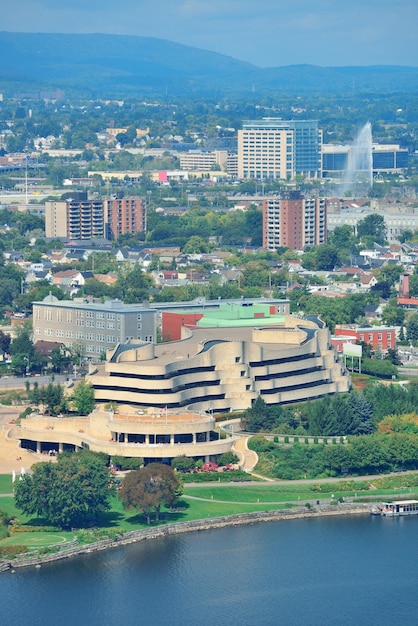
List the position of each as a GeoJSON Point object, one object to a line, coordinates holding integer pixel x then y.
{"type": "Point", "coordinates": [223, 361]}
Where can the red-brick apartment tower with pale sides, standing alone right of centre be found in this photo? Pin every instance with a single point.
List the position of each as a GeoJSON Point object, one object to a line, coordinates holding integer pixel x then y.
{"type": "Point", "coordinates": [294, 222]}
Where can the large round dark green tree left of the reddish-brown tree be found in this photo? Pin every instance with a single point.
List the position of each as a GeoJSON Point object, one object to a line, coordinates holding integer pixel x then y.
{"type": "Point", "coordinates": [70, 493]}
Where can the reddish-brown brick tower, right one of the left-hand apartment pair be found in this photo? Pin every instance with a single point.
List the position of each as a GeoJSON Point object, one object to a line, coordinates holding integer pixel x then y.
{"type": "Point", "coordinates": [124, 215]}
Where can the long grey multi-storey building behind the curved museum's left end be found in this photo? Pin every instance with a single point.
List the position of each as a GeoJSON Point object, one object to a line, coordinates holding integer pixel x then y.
{"type": "Point", "coordinates": [93, 327]}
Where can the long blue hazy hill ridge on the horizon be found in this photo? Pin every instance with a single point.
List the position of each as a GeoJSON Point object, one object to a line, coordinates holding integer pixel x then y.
{"type": "Point", "coordinates": [112, 65]}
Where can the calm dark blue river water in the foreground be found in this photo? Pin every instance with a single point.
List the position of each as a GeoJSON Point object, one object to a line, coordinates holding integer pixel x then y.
{"type": "Point", "coordinates": [347, 570]}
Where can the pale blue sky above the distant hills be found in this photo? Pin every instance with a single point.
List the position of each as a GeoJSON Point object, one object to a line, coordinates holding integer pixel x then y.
{"type": "Point", "coordinates": [264, 32]}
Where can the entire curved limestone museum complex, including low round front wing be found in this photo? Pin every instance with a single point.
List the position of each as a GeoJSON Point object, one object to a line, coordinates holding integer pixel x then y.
{"type": "Point", "coordinates": [165, 394]}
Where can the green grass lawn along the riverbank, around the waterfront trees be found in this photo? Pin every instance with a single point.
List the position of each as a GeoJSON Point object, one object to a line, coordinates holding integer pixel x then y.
{"type": "Point", "coordinates": [216, 501]}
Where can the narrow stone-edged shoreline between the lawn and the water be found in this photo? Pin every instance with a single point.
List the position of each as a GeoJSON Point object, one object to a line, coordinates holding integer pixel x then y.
{"type": "Point", "coordinates": [178, 528]}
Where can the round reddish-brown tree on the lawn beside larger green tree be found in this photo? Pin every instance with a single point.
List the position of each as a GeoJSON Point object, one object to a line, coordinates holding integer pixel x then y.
{"type": "Point", "coordinates": [149, 488]}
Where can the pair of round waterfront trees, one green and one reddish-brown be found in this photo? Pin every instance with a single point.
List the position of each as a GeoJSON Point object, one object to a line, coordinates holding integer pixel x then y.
{"type": "Point", "coordinates": [76, 491]}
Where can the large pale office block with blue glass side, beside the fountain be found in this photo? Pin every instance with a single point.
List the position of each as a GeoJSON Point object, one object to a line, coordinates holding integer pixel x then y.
{"type": "Point", "coordinates": [272, 148]}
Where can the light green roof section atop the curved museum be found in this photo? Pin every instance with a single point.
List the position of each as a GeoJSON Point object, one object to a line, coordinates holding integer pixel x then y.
{"type": "Point", "coordinates": [240, 315]}
